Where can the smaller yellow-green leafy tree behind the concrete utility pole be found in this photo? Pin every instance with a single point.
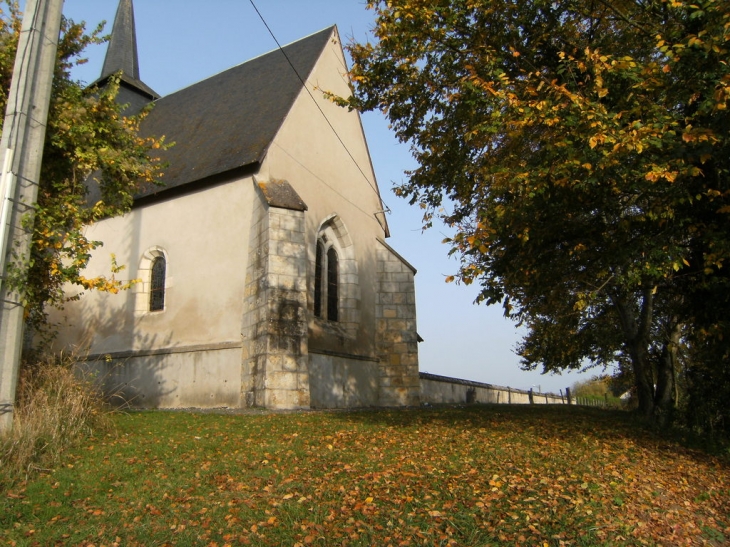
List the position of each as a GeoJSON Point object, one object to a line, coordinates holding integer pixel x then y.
{"type": "Point", "coordinates": [88, 142]}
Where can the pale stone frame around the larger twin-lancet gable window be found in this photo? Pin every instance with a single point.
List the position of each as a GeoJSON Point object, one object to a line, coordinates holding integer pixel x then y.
{"type": "Point", "coordinates": [333, 234]}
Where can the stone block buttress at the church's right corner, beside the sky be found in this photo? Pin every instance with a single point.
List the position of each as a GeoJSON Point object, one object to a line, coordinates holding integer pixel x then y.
{"type": "Point", "coordinates": [396, 336]}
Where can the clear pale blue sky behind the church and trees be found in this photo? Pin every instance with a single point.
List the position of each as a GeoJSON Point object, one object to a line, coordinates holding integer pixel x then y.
{"type": "Point", "coordinates": [181, 42]}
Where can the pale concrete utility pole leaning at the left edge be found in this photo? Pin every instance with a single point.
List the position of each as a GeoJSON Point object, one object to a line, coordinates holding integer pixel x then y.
{"type": "Point", "coordinates": [21, 151]}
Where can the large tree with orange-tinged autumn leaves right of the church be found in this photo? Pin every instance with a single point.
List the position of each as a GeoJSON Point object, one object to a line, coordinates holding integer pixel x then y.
{"type": "Point", "coordinates": [581, 151]}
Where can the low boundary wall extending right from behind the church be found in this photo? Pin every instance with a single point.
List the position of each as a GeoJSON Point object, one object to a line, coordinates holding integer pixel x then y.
{"type": "Point", "coordinates": [437, 389]}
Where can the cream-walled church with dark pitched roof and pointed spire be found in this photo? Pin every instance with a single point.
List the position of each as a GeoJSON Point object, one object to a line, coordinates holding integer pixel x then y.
{"type": "Point", "coordinates": [264, 278]}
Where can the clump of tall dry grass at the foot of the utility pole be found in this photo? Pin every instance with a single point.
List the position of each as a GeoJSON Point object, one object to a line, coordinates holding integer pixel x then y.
{"type": "Point", "coordinates": [56, 407]}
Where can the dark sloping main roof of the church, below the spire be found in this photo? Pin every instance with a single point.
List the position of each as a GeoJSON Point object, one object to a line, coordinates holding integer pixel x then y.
{"type": "Point", "coordinates": [228, 121]}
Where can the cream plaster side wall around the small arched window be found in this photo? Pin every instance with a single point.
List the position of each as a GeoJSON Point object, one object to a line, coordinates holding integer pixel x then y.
{"type": "Point", "coordinates": [205, 238]}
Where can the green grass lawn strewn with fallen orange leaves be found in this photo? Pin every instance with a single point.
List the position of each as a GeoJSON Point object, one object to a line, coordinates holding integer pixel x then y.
{"type": "Point", "coordinates": [478, 475]}
